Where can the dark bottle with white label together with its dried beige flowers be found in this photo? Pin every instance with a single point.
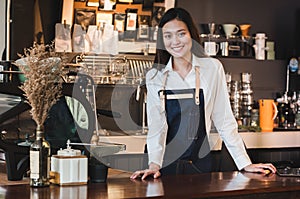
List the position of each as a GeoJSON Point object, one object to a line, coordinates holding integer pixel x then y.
{"type": "Point", "coordinates": [42, 88]}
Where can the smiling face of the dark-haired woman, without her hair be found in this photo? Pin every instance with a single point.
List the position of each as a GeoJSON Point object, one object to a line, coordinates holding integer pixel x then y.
{"type": "Point", "coordinates": [177, 39]}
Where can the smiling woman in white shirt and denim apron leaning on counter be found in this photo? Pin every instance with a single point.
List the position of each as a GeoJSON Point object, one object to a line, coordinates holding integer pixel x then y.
{"type": "Point", "coordinates": [186, 93]}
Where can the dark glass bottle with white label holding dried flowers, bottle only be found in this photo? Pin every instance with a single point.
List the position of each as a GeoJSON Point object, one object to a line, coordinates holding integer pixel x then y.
{"type": "Point", "coordinates": [39, 160]}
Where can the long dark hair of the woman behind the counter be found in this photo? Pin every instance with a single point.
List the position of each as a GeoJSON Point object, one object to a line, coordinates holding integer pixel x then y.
{"type": "Point", "coordinates": [162, 55]}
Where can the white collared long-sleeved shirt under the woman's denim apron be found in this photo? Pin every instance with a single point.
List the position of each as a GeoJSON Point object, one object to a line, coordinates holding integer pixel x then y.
{"type": "Point", "coordinates": [217, 107]}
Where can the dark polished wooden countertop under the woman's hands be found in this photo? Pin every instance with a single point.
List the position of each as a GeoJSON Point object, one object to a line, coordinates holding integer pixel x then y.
{"type": "Point", "coordinates": [209, 185]}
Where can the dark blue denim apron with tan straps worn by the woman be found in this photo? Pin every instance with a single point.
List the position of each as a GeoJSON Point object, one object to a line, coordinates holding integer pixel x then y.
{"type": "Point", "coordinates": [187, 148]}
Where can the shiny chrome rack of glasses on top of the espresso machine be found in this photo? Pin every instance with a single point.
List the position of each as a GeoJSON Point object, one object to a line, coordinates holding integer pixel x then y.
{"type": "Point", "coordinates": [120, 69]}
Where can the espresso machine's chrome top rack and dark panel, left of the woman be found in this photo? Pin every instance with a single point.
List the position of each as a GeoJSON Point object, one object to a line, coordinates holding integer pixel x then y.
{"type": "Point", "coordinates": [119, 90]}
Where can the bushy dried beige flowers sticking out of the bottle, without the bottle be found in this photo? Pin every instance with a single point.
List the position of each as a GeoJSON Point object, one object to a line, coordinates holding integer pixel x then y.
{"type": "Point", "coordinates": [42, 88]}
